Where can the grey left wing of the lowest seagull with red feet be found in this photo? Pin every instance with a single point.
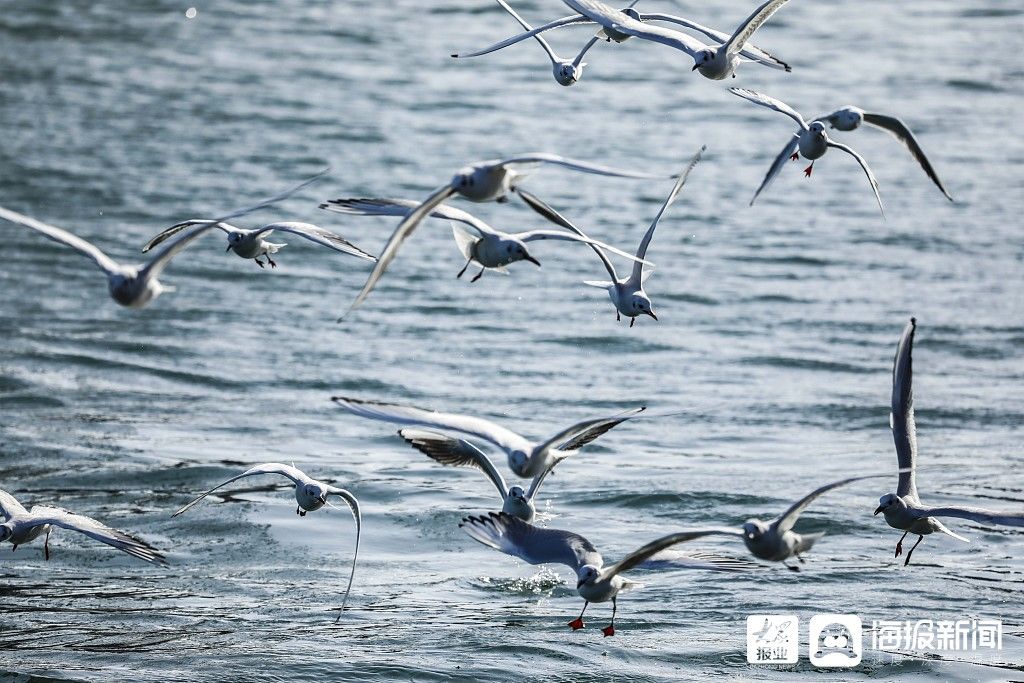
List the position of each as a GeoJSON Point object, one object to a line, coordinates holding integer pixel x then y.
{"type": "Point", "coordinates": [533, 544]}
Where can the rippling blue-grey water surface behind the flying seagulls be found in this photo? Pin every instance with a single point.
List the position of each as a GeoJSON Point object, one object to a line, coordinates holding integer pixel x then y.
{"type": "Point", "coordinates": [775, 347]}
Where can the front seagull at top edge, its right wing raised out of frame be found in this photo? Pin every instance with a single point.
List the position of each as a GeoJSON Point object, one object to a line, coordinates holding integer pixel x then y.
{"type": "Point", "coordinates": [716, 63]}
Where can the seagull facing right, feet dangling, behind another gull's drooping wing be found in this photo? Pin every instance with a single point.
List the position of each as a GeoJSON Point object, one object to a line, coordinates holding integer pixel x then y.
{"type": "Point", "coordinates": [488, 247]}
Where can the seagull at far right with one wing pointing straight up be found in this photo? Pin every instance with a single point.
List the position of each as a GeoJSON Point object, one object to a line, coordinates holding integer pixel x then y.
{"type": "Point", "coordinates": [904, 510]}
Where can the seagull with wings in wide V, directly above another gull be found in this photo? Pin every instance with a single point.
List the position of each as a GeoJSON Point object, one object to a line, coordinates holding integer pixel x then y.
{"type": "Point", "coordinates": [527, 459]}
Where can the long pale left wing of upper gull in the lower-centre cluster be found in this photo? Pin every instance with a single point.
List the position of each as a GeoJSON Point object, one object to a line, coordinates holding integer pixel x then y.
{"type": "Point", "coordinates": [407, 415]}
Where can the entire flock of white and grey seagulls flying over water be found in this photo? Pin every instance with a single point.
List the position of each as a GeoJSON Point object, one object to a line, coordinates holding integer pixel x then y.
{"type": "Point", "coordinates": [456, 441]}
